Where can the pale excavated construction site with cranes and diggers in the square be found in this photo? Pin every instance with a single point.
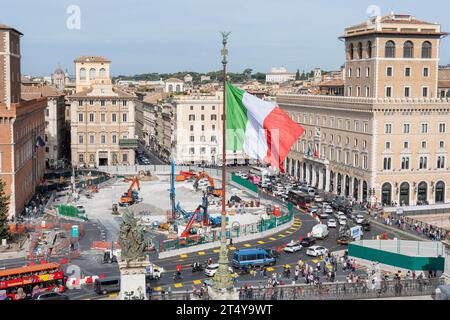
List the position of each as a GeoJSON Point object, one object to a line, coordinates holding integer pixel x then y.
{"type": "Point", "coordinates": [184, 206]}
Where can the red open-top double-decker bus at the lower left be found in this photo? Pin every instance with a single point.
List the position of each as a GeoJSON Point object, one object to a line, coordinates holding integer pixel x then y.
{"type": "Point", "coordinates": [26, 282]}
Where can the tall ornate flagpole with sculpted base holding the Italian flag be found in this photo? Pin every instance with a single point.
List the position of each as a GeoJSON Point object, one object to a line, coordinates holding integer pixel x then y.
{"type": "Point", "coordinates": [222, 280]}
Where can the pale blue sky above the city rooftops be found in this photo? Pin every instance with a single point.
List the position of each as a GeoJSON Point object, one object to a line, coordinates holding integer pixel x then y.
{"type": "Point", "coordinates": [144, 36]}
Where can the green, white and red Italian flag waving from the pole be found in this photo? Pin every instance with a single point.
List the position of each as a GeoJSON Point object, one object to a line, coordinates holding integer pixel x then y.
{"type": "Point", "coordinates": [259, 128]}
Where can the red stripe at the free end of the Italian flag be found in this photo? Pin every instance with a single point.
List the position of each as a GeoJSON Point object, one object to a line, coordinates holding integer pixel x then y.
{"type": "Point", "coordinates": [281, 133]}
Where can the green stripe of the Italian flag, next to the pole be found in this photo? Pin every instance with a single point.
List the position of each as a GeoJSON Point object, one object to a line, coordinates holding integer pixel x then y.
{"type": "Point", "coordinates": [236, 118]}
